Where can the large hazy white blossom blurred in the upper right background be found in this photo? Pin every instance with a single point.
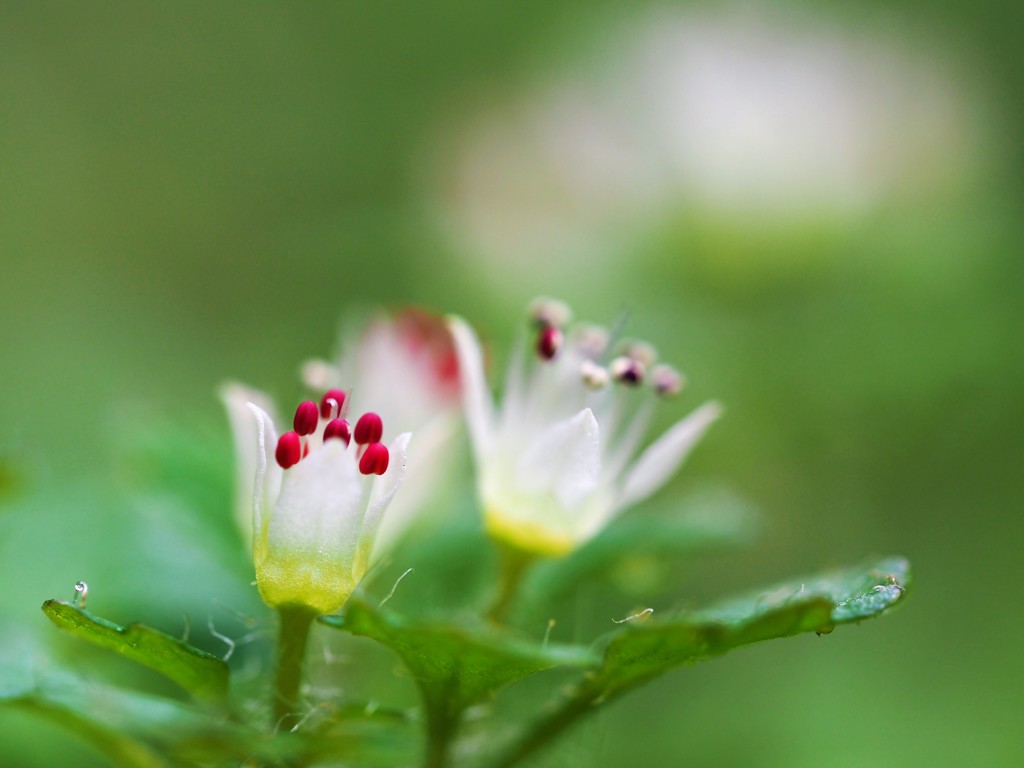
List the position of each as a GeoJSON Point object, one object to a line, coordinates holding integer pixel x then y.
{"type": "Point", "coordinates": [754, 117]}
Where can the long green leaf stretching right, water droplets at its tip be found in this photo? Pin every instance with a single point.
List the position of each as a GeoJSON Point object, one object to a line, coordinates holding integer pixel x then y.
{"type": "Point", "coordinates": [647, 649]}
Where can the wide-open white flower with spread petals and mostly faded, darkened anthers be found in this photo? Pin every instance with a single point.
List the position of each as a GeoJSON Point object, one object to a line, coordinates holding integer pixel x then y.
{"type": "Point", "coordinates": [562, 456]}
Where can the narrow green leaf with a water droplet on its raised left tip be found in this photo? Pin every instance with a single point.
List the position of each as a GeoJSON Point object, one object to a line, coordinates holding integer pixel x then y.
{"type": "Point", "coordinates": [200, 673]}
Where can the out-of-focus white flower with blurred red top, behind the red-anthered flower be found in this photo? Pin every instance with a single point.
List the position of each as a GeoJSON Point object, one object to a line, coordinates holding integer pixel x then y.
{"type": "Point", "coordinates": [404, 367]}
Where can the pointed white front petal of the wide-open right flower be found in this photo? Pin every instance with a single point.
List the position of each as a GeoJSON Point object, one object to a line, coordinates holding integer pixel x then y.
{"type": "Point", "coordinates": [564, 460]}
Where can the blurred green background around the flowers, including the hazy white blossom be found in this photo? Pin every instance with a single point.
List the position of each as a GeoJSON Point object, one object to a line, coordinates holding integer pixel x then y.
{"type": "Point", "coordinates": [815, 210]}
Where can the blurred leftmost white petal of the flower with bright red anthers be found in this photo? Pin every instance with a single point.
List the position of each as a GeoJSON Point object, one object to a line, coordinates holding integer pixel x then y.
{"type": "Point", "coordinates": [245, 431]}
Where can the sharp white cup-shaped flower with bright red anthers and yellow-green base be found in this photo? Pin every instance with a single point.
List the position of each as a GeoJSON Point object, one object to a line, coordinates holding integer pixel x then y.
{"type": "Point", "coordinates": [318, 494]}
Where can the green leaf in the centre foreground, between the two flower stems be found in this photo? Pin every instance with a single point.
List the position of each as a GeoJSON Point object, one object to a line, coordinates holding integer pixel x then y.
{"type": "Point", "coordinates": [457, 667]}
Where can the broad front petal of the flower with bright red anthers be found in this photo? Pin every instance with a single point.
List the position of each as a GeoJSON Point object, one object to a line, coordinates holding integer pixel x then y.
{"type": "Point", "coordinates": [320, 511]}
